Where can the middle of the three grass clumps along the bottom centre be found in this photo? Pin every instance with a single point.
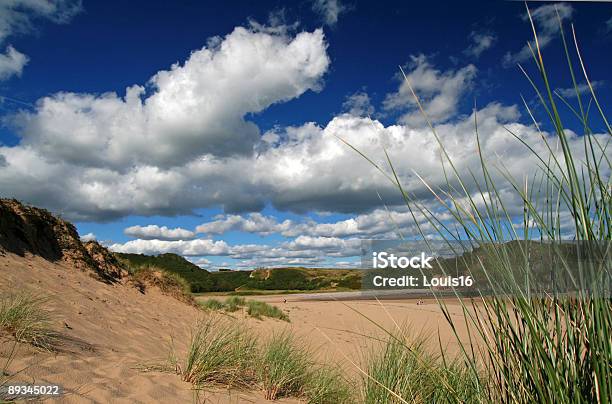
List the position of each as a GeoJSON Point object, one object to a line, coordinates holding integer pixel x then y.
{"type": "Point", "coordinates": [287, 369]}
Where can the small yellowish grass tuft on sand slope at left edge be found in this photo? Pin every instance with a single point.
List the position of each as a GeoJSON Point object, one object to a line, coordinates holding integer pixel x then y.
{"type": "Point", "coordinates": [22, 315]}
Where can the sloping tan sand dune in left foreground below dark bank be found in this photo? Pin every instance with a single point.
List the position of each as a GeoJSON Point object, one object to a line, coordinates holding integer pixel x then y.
{"type": "Point", "coordinates": [113, 331]}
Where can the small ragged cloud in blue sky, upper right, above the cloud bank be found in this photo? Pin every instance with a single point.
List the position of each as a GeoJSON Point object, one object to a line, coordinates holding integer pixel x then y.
{"type": "Point", "coordinates": [440, 92]}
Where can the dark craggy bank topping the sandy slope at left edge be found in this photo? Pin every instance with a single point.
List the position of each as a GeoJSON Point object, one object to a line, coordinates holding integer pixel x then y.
{"type": "Point", "coordinates": [26, 229]}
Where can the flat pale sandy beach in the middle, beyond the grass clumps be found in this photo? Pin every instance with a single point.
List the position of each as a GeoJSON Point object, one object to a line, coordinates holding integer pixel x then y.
{"type": "Point", "coordinates": [344, 331]}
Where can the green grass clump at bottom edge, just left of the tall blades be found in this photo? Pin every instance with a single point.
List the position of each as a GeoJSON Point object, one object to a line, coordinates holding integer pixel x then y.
{"type": "Point", "coordinates": [404, 370]}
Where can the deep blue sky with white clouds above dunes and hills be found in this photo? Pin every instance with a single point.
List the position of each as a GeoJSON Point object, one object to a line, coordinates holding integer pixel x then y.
{"type": "Point", "coordinates": [240, 137]}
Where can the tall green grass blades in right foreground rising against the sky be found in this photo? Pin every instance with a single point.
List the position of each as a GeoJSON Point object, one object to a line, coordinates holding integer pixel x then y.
{"type": "Point", "coordinates": [550, 348]}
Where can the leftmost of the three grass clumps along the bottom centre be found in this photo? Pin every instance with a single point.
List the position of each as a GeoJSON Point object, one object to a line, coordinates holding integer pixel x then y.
{"type": "Point", "coordinates": [220, 353]}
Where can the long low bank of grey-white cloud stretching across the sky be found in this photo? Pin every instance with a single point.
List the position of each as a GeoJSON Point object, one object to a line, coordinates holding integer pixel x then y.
{"type": "Point", "coordinates": [309, 169]}
